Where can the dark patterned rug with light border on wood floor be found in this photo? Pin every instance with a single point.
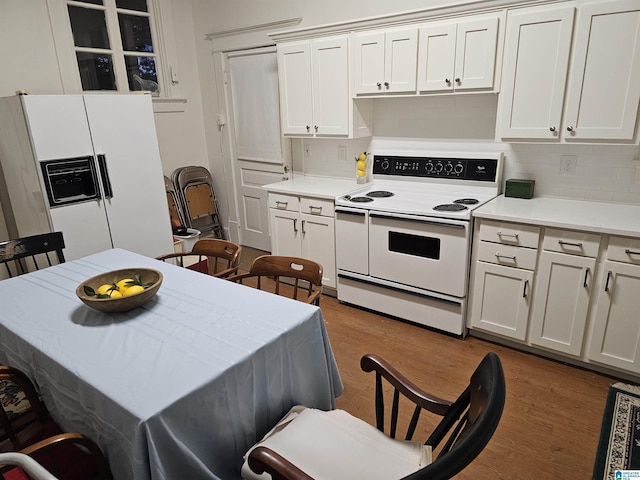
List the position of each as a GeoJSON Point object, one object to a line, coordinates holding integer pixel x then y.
{"type": "Point", "coordinates": [619, 444]}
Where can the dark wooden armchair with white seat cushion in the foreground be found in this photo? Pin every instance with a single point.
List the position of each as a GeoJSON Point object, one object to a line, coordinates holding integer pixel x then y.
{"type": "Point", "coordinates": [310, 443]}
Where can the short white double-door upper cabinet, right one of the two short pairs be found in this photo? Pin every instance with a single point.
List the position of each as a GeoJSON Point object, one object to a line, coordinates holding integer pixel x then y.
{"type": "Point", "coordinates": [458, 56]}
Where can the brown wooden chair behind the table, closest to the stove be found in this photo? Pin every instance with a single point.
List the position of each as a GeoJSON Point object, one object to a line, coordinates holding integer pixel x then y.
{"type": "Point", "coordinates": [294, 277]}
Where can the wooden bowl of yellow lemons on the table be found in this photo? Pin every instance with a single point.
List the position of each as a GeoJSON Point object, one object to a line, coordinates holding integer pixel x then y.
{"type": "Point", "coordinates": [120, 290]}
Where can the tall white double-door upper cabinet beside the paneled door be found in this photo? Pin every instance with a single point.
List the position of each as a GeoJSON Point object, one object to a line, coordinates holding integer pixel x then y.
{"type": "Point", "coordinates": [315, 90]}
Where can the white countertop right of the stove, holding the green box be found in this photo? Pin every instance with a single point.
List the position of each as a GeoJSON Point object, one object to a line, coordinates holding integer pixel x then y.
{"type": "Point", "coordinates": [601, 217]}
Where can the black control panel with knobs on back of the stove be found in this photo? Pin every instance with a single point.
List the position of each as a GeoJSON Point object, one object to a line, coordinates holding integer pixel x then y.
{"type": "Point", "coordinates": [476, 169]}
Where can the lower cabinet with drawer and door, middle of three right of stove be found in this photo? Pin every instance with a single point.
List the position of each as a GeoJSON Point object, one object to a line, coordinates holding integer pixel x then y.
{"type": "Point", "coordinates": [564, 287]}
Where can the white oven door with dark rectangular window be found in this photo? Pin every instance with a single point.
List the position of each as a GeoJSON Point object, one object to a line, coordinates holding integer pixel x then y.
{"type": "Point", "coordinates": [422, 252]}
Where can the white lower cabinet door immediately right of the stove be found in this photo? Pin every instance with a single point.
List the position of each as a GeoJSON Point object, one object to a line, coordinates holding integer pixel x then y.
{"type": "Point", "coordinates": [501, 300]}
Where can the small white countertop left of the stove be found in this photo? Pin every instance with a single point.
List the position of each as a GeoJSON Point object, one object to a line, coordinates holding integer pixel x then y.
{"type": "Point", "coordinates": [315, 186]}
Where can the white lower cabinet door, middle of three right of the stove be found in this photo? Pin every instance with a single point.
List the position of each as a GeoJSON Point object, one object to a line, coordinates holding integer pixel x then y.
{"type": "Point", "coordinates": [561, 303]}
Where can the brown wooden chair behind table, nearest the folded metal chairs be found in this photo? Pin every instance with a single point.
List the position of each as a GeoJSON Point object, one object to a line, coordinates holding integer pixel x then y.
{"type": "Point", "coordinates": [214, 256]}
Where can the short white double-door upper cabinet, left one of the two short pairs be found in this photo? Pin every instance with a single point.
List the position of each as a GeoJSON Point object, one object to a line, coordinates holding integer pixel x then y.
{"type": "Point", "coordinates": [385, 61]}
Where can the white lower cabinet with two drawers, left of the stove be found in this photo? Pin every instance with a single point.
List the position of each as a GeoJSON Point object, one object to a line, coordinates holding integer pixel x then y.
{"type": "Point", "coordinates": [304, 227]}
